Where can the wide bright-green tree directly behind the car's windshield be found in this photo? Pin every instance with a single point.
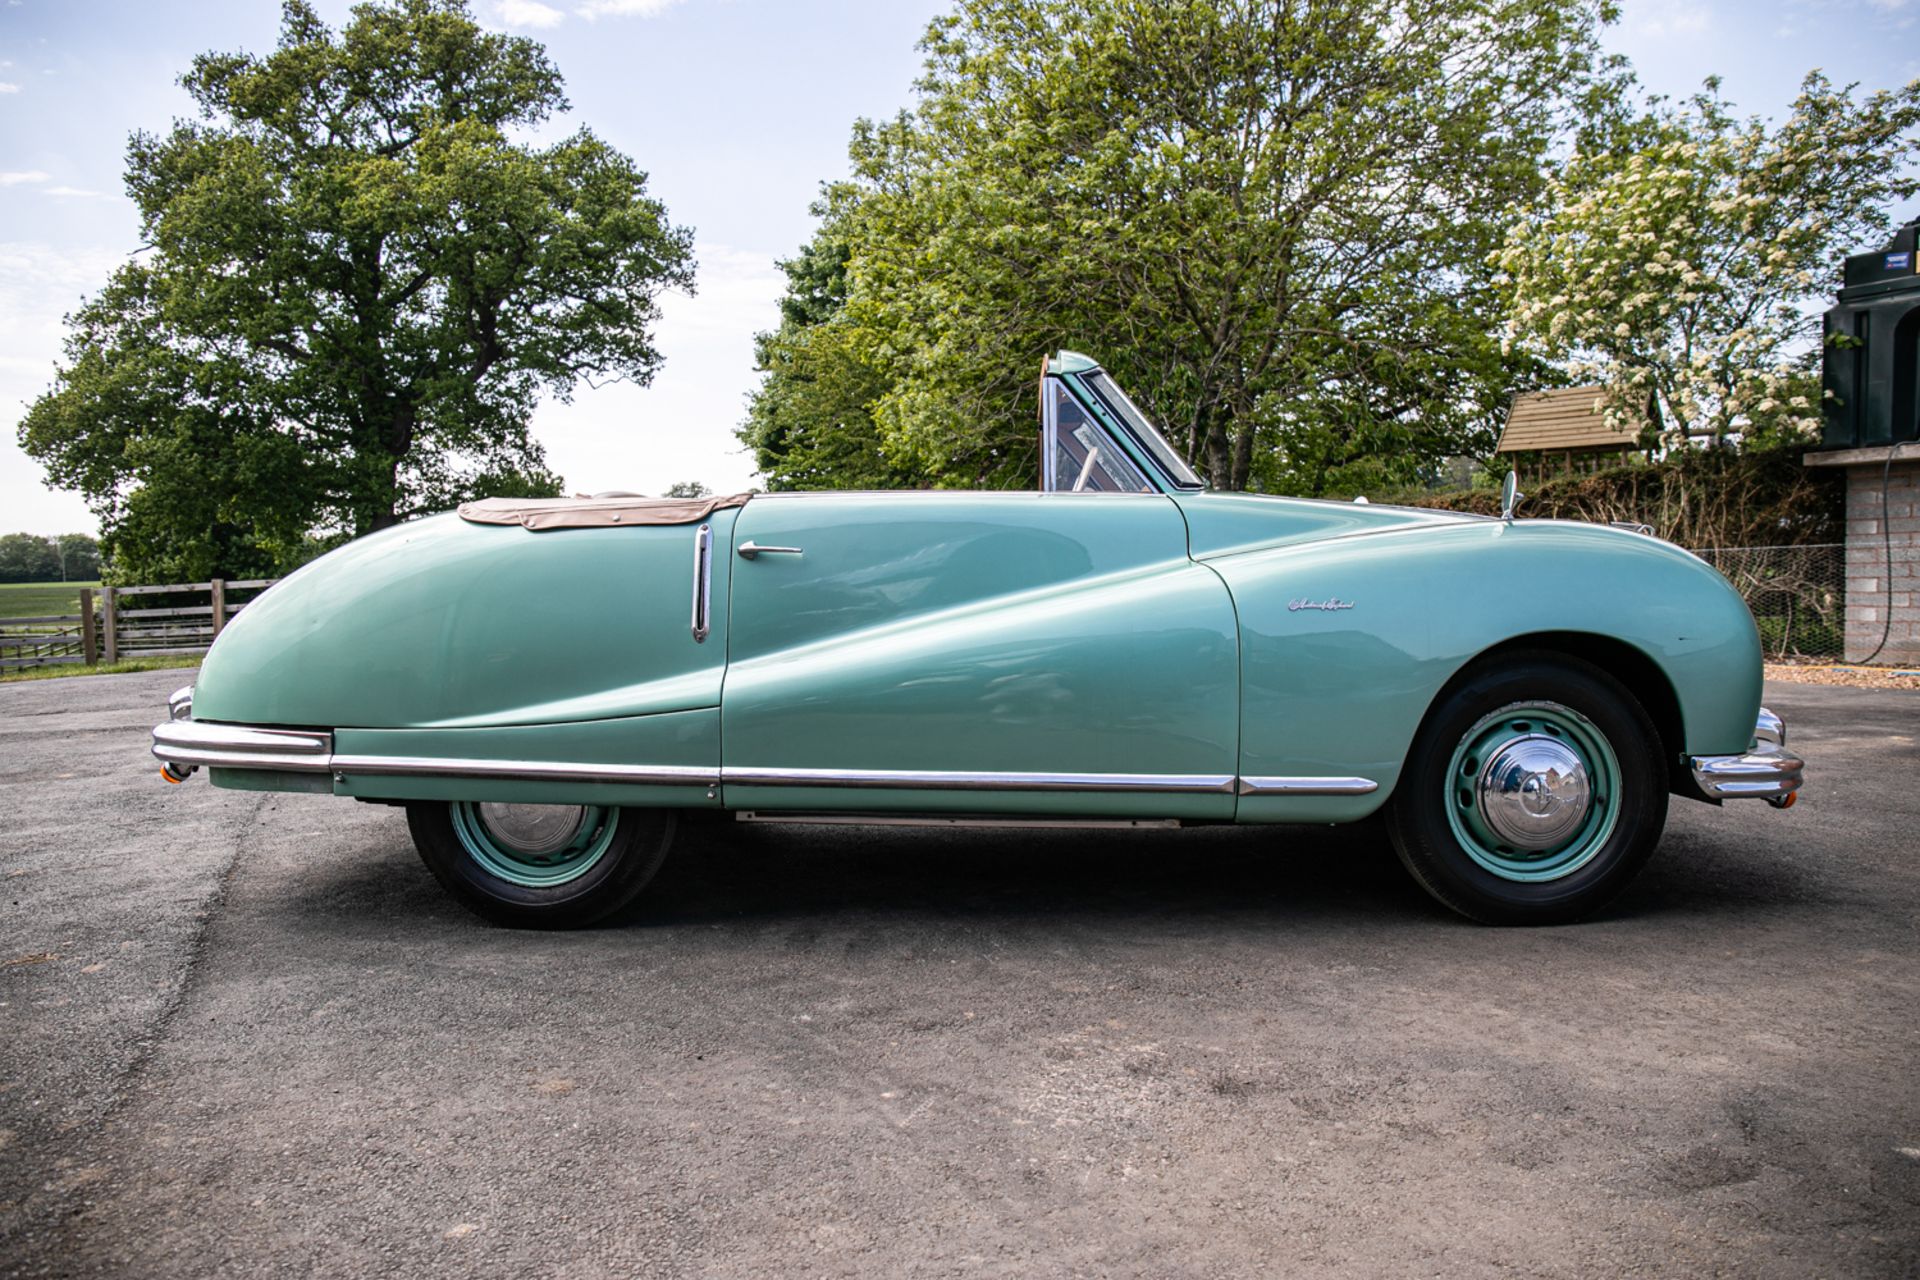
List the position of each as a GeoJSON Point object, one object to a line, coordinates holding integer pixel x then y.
{"type": "Point", "coordinates": [1270, 218]}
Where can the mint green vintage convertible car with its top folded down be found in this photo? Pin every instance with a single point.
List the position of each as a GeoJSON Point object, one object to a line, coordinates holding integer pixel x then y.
{"type": "Point", "coordinates": [548, 684]}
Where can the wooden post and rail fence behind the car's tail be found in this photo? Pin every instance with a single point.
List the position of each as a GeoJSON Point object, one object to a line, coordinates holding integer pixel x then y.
{"type": "Point", "coordinates": [130, 623]}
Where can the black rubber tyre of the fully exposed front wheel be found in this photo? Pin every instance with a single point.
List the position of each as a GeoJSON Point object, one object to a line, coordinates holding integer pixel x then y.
{"type": "Point", "coordinates": [1443, 863]}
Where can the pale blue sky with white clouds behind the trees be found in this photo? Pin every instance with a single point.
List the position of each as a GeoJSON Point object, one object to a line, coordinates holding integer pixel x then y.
{"type": "Point", "coordinates": [736, 108]}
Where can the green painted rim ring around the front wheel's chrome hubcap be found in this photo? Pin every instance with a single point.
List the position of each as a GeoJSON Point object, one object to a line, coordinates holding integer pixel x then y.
{"type": "Point", "coordinates": [1502, 730]}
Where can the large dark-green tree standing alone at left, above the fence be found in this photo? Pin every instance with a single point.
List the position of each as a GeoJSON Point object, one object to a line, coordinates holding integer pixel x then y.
{"type": "Point", "coordinates": [358, 279]}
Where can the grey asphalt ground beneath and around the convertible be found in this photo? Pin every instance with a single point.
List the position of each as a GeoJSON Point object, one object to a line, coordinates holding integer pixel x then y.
{"type": "Point", "coordinates": [249, 1035]}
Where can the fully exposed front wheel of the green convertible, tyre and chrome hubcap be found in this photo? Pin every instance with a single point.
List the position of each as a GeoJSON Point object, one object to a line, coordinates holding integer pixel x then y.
{"type": "Point", "coordinates": [1533, 794]}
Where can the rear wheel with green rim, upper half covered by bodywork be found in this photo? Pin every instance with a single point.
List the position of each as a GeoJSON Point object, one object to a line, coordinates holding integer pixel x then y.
{"type": "Point", "coordinates": [540, 866]}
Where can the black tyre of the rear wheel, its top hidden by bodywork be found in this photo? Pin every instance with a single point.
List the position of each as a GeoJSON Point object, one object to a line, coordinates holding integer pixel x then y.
{"type": "Point", "coordinates": [633, 855]}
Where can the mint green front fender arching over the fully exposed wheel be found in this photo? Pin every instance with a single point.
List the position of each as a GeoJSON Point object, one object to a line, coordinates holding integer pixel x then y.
{"type": "Point", "coordinates": [1347, 644]}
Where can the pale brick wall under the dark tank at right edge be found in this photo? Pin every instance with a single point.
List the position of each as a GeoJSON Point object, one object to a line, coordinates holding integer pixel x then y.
{"type": "Point", "coordinates": [1871, 590]}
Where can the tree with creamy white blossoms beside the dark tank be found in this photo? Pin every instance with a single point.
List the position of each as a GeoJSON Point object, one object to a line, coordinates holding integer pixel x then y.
{"type": "Point", "coordinates": [1683, 260]}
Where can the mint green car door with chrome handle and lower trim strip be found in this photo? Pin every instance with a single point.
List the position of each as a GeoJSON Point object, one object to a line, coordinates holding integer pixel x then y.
{"type": "Point", "coordinates": [1020, 653]}
